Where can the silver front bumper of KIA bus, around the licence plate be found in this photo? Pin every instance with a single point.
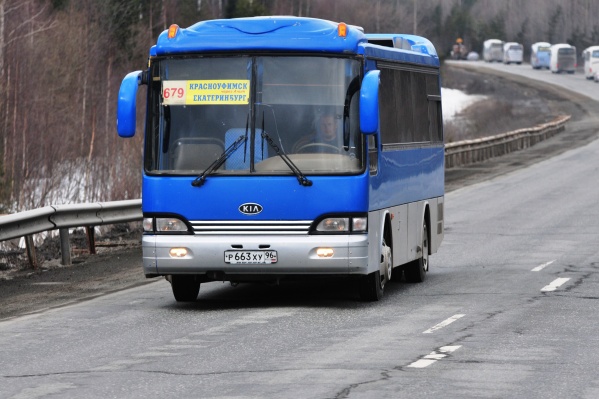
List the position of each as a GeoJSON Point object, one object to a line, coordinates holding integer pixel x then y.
{"type": "Point", "coordinates": [296, 255]}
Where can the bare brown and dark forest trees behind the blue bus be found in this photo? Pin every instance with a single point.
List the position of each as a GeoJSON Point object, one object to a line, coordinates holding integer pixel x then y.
{"type": "Point", "coordinates": [62, 61]}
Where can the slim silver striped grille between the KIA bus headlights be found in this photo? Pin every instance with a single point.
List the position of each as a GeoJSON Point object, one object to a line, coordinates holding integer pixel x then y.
{"type": "Point", "coordinates": [255, 227]}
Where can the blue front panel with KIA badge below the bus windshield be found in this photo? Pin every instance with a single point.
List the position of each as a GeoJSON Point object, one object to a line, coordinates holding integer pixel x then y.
{"type": "Point", "coordinates": [281, 196]}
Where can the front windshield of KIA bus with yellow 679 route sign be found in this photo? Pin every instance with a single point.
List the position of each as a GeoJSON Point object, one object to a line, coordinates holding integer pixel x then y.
{"type": "Point", "coordinates": [241, 115]}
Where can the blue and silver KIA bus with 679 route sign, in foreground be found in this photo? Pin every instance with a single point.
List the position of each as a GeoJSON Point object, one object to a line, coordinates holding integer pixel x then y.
{"type": "Point", "coordinates": [287, 147]}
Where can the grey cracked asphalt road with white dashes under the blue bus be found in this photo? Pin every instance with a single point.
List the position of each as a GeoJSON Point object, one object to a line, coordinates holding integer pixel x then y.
{"type": "Point", "coordinates": [508, 310]}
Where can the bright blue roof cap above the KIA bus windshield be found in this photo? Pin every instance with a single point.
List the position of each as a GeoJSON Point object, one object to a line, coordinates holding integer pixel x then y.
{"type": "Point", "coordinates": [291, 34]}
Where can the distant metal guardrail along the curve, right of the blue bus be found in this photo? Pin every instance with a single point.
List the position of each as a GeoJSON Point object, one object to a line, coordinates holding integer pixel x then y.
{"type": "Point", "coordinates": [467, 152]}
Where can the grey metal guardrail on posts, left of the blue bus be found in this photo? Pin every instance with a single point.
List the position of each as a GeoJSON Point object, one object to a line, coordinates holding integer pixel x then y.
{"type": "Point", "coordinates": [63, 217]}
